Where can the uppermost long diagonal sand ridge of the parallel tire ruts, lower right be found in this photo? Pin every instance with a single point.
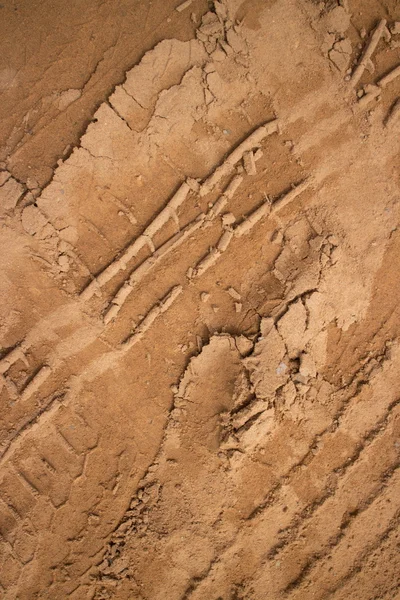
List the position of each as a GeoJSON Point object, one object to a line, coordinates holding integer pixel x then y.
{"type": "Point", "coordinates": [328, 452]}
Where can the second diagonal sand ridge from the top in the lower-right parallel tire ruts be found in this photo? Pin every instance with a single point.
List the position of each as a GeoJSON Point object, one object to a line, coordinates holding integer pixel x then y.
{"type": "Point", "coordinates": [322, 525]}
